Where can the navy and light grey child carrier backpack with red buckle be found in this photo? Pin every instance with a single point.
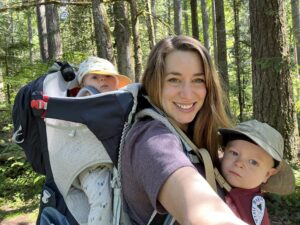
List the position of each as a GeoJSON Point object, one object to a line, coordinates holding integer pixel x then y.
{"type": "Point", "coordinates": [99, 125]}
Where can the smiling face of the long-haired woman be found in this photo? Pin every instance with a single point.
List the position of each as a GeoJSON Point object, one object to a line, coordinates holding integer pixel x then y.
{"type": "Point", "coordinates": [184, 89]}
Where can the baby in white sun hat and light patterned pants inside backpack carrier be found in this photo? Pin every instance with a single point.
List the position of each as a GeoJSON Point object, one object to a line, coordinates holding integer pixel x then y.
{"type": "Point", "coordinates": [97, 75]}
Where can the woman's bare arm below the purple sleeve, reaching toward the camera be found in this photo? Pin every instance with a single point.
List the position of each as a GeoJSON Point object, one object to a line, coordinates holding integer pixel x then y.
{"type": "Point", "coordinates": [190, 199]}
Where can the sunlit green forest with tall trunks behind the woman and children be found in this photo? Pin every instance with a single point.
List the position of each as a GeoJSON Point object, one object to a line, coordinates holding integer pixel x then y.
{"type": "Point", "coordinates": [255, 45]}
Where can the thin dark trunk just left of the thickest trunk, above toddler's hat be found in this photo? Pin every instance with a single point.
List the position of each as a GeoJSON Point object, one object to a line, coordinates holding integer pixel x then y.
{"type": "Point", "coordinates": [237, 57]}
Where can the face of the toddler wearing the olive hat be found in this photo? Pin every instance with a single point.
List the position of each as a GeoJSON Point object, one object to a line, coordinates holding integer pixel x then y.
{"type": "Point", "coordinates": [246, 165]}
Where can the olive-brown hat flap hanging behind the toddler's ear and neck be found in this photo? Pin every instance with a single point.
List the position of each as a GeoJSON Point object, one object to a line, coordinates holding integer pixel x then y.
{"type": "Point", "coordinates": [281, 183]}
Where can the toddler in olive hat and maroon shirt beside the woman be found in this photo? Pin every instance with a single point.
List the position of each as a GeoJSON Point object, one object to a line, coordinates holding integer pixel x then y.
{"type": "Point", "coordinates": [252, 162]}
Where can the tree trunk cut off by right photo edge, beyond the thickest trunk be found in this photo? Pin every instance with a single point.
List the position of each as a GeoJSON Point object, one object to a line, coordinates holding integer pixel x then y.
{"type": "Point", "coordinates": [296, 28]}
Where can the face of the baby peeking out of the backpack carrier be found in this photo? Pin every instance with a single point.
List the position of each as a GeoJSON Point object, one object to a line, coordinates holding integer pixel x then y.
{"type": "Point", "coordinates": [102, 83]}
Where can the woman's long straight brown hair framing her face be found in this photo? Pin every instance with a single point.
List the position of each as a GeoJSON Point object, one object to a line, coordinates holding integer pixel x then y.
{"type": "Point", "coordinates": [212, 114]}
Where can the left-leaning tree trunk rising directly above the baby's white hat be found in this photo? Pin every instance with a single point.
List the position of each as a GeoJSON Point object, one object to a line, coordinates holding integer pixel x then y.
{"type": "Point", "coordinates": [102, 31]}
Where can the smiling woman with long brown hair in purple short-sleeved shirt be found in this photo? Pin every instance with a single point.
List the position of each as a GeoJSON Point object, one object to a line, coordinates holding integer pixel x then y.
{"type": "Point", "coordinates": [156, 174]}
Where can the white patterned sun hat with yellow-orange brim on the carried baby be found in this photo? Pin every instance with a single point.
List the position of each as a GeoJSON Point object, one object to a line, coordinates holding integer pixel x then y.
{"type": "Point", "coordinates": [96, 65]}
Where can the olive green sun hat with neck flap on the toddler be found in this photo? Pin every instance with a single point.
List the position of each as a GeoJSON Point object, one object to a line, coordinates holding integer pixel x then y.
{"type": "Point", "coordinates": [271, 141]}
